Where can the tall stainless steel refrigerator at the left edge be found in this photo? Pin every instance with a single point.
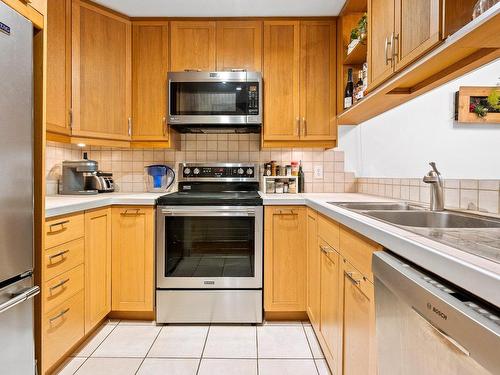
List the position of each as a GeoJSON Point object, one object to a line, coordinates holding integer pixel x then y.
{"type": "Point", "coordinates": [17, 354]}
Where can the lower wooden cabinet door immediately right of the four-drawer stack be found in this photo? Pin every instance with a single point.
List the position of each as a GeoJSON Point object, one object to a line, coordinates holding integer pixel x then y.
{"type": "Point", "coordinates": [97, 266]}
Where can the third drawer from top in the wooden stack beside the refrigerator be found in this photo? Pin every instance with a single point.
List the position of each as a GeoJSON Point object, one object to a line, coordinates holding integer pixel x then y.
{"type": "Point", "coordinates": [62, 287]}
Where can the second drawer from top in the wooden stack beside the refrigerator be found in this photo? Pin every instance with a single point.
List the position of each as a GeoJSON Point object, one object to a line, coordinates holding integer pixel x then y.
{"type": "Point", "coordinates": [62, 258]}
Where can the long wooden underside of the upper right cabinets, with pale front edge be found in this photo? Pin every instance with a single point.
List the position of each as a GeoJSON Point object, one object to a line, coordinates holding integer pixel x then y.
{"type": "Point", "coordinates": [471, 47]}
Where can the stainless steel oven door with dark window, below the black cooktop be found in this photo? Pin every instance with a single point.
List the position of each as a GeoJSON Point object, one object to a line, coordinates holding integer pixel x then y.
{"type": "Point", "coordinates": [211, 247]}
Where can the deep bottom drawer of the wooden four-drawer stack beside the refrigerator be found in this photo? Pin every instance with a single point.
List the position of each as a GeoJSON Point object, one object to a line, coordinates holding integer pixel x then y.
{"type": "Point", "coordinates": [62, 327]}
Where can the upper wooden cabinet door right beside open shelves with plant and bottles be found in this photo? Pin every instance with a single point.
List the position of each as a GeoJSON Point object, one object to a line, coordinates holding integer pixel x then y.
{"type": "Point", "coordinates": [380, 36]}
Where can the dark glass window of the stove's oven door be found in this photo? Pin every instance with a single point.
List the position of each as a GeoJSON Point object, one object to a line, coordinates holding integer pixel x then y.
{"type": "Point", "coordinates": [209, 246]}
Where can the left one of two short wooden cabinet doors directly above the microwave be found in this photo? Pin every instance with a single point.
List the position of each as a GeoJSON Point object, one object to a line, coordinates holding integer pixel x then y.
{"type": "Point", "coordinates": [192, 45]}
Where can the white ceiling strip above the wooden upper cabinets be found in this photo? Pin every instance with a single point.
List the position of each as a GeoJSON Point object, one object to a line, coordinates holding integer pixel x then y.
{"type": "Point", "coordinates": [224, 8]}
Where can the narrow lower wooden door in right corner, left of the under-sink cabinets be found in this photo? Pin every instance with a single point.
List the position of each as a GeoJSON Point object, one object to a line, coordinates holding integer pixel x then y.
{"type": "Point", "coordinates": [313, 269]}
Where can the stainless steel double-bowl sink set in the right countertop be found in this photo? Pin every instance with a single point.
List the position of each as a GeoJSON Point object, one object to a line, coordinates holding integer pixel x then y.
{"type": "Point", "coordinates": [412, 215]}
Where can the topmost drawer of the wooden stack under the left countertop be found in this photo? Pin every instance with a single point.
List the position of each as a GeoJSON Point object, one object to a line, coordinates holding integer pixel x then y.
{"type": "Point", "coordinates": [63, 229]}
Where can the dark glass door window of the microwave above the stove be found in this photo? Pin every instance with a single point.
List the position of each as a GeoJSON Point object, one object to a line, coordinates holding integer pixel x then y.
{"type": "Point", "coordinates": [208, 98]}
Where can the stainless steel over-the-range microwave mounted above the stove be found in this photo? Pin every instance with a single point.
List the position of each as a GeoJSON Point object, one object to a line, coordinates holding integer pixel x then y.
{"type": "Point", "coordinates": [215, 102]}
